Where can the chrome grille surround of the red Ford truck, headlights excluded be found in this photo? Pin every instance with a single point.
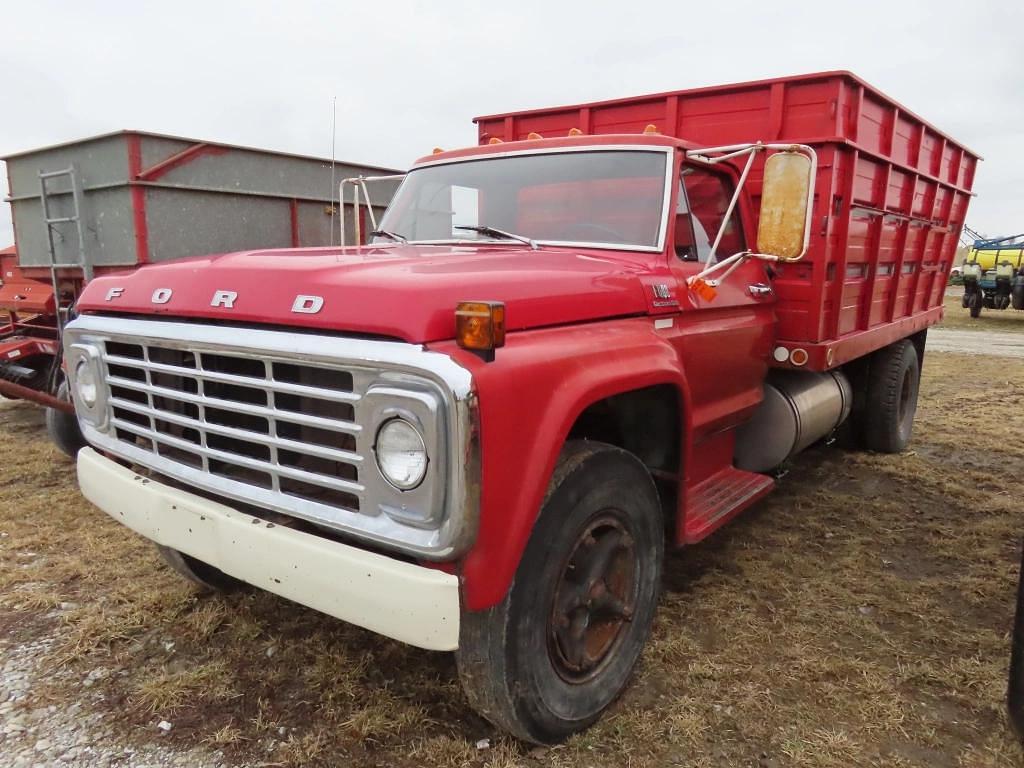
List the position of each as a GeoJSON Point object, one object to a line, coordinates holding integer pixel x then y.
{"type": "Point", "coordinates": [287, 422]}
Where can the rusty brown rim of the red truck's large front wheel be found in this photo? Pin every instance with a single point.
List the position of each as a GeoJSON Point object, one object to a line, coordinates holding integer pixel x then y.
{"type": "Point", "coordinates": [595, 600]}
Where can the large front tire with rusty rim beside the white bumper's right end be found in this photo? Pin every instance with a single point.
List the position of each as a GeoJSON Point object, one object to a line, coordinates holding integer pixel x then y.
{"type": "Point", "coordinates": [548, 660]}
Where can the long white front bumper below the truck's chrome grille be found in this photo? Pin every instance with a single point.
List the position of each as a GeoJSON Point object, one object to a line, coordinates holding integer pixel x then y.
{"type": "Point", "coordinates": [408, 603]}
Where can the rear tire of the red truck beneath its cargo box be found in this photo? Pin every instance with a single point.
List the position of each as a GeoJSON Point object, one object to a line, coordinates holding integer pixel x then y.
{"type": "Point", "coordinates": [893, 383]}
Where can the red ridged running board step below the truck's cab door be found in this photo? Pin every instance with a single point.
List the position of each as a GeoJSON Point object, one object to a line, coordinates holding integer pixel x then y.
{"type": "Point", "coordinates": [714, 502]}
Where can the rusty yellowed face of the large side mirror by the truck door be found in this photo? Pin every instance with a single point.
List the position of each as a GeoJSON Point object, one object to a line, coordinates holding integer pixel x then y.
{"type": "Point", "coordinates": [783, 225]}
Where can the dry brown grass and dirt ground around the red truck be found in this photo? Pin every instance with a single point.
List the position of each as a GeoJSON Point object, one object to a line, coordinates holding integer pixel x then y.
{"type": "Point", "coordinates": [859, 617]}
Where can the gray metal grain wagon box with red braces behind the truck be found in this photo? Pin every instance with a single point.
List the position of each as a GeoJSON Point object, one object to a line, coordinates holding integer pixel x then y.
{"type": "Point", "coordinates": [147, 197]}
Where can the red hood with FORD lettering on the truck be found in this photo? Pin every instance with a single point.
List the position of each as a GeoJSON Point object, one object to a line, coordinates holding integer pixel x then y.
{"type": "Point", "coordinates": [405, 292]}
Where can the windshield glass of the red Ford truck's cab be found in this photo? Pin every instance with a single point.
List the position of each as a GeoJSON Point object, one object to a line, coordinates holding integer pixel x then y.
{"type": "Point", "coordinates": [614, 198]}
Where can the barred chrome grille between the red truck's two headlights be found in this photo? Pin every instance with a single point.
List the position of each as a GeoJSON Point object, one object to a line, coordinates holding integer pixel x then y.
{"type": "Point", "coordinates": [284, 426]}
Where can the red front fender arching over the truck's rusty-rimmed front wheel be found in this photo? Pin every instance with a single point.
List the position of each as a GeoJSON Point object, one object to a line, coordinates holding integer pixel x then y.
{"type": "Point", "coordinates": [530, 398]}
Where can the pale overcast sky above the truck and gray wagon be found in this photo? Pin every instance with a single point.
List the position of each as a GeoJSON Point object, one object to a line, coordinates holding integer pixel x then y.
{"type": "Point", "coordinates": [409, 76]}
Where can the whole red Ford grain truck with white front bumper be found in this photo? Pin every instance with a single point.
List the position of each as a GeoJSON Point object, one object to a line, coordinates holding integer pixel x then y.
{"type": "Point", "coordinates": [590, 337]}
